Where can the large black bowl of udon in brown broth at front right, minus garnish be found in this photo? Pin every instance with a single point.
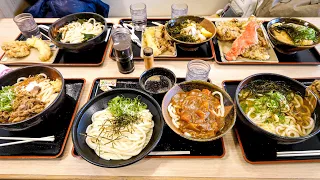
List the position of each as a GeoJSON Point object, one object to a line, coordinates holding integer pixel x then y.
{"type": "Point", "coordinates": [285, 130]}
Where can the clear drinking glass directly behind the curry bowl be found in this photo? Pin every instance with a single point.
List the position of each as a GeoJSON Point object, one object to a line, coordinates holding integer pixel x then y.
{"type": "Point", "coordinates": [198, 70]}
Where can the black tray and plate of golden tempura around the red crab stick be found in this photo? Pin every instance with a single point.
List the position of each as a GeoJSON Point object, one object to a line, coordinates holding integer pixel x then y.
{"type": "Point", "coordinates": [261, 53]}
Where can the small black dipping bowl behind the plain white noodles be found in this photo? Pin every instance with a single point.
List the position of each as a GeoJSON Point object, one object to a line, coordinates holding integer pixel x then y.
{"type": "Point", "coordinates": [153, 72]}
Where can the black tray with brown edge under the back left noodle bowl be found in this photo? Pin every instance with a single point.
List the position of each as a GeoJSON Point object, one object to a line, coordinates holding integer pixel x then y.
{"type": "Point", "coordinates": [93, 57]}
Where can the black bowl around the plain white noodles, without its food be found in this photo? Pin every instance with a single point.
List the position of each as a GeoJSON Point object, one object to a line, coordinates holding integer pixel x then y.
{"type": "Point", "coordinates": [100, 102]}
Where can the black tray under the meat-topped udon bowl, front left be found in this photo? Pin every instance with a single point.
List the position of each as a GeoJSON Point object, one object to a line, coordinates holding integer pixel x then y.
{"type": "Point", "coordinates": [58, 125]}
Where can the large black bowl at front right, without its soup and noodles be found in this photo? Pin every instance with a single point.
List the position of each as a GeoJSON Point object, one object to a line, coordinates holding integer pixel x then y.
{"type": "Point", "coordinates": [296, 87]}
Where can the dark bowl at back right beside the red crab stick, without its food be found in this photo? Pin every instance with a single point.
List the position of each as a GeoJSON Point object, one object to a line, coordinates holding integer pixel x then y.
{"type": "Point", "coordinates": [288, 48]}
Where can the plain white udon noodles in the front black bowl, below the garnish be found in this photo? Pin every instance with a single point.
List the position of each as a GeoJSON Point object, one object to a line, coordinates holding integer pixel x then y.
{"type": "Point", "coordinates": [124, 147]}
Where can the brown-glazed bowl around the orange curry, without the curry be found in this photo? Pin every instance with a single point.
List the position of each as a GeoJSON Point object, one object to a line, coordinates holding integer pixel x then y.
{"type": "Point", "coordinates": [230, 110]}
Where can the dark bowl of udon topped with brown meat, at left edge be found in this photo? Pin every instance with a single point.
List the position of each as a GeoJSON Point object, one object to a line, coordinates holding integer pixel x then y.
{"type": "Point", "coordinates": [29, 96]}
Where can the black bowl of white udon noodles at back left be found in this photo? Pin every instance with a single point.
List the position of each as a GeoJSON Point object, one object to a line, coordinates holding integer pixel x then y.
{"type": "Point", "coordinates": [78, 32]}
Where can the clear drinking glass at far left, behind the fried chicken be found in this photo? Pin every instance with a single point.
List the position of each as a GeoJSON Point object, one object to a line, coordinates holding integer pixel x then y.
{"type": "Point", "coordinates": [27, 25]}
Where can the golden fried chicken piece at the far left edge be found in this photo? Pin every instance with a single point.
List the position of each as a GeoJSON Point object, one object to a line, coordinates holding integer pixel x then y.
{"type": "Point", "coordinates": [16, 49]}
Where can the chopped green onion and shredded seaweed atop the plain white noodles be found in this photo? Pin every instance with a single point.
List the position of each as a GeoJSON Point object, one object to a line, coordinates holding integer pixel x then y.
{"type": "Point", "coordinates": [125, 112]}
